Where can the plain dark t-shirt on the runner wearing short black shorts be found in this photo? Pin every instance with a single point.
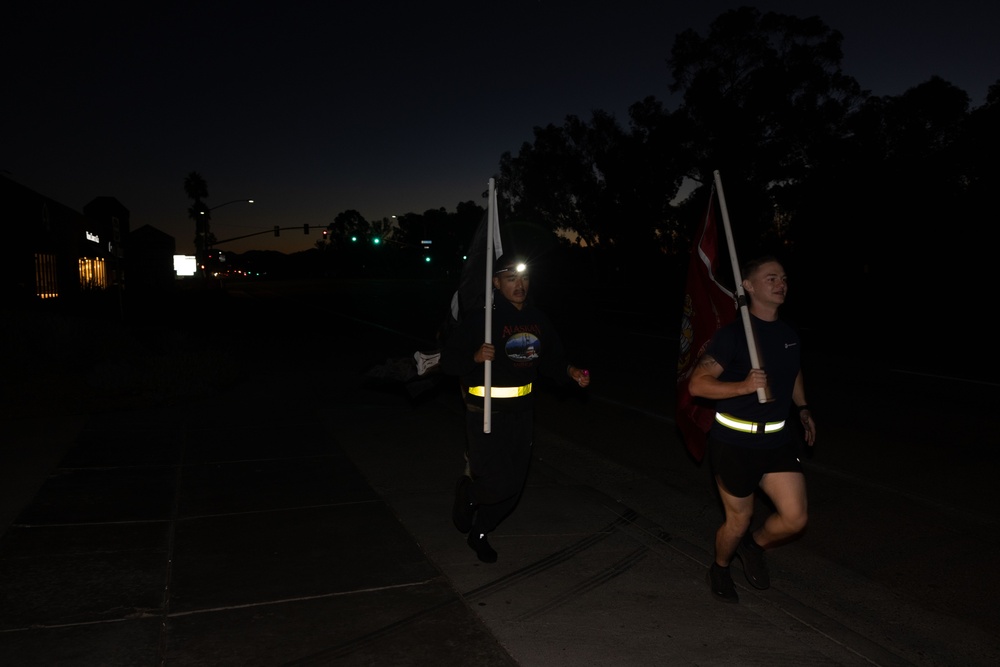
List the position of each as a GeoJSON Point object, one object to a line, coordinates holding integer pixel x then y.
{"type": "Point", "coordinates": [780, 350]}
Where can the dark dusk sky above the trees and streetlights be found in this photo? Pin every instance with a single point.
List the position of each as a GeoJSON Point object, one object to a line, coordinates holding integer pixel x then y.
{"type": "Point", "coordinates": [313, 108]}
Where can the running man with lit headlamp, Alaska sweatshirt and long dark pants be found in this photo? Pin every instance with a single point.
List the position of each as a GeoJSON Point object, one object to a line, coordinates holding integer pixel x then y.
{"type": "Point", "coordinates": [525, 345]}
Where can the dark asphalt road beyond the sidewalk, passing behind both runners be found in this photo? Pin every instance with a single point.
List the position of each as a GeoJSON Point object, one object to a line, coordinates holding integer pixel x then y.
{"type": "Point", "coordinates": [901, 536]}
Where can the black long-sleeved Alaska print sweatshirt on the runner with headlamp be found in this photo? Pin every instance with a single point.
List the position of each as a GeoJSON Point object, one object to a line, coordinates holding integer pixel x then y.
{"type": "Point", "coordinates": [526, 345]}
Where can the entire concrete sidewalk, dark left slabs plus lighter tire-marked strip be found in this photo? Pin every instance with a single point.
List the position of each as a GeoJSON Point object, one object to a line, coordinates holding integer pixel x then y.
{"type": "Point", "coordinates": [298, 521]}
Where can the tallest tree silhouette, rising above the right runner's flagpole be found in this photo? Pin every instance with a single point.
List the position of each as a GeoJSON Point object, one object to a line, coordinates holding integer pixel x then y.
{"type": "Point", "coordinates": [765, 102]}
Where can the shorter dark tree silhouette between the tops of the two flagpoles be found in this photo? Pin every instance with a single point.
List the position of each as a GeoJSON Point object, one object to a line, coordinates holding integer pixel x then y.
{"type": "Point", "coordinates": [602, 186]}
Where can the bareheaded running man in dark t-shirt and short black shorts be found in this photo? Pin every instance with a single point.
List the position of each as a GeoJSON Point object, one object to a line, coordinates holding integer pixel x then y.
{"type": "Point", "coordinates": [749, 445]}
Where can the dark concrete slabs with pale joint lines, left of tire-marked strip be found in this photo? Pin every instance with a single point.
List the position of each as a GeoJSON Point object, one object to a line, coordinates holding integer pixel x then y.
{"type": "Point", "coordinates": [213, 536]}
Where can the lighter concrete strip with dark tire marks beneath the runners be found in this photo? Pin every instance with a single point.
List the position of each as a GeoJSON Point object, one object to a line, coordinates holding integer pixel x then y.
{"type": "Point", "coordinates": [581, 578]}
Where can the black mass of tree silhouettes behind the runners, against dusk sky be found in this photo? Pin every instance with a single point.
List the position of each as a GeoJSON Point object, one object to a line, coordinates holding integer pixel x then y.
{"type": "Point", "coordinates": [833, 180]}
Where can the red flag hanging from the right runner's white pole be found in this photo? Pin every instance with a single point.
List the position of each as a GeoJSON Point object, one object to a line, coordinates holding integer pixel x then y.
{"type": "Point", "coordinates": [707, 307]}
